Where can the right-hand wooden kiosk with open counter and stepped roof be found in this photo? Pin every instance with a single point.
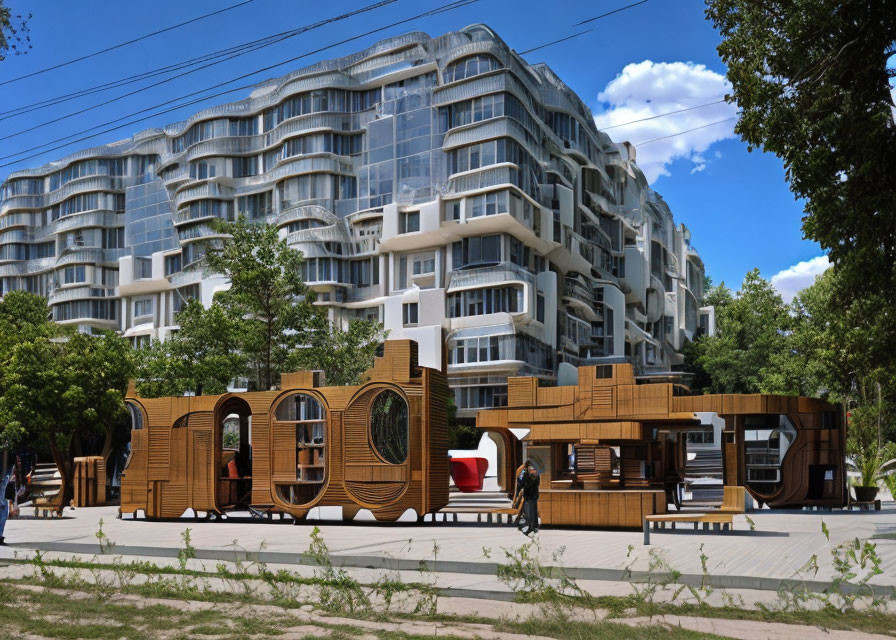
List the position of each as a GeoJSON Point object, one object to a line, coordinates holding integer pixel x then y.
{"type": "Point", "coordinates": [612, 450]}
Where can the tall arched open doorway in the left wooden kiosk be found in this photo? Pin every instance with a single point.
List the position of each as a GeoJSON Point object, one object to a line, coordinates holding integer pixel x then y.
{"type": "Point", "coordinates": [233, 441]}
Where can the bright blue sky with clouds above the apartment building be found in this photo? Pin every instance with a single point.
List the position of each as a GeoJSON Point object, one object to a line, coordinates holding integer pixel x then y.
{"type": "Point", "coordinates": [653, 58]}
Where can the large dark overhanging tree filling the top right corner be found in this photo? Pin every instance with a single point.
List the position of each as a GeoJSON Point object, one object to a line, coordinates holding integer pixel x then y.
{"type": "Point", "coordinates": [811, 78]}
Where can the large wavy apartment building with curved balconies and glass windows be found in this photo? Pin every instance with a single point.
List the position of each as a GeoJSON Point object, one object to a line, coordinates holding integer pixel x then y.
{"type": "Point", "coordinates": [433, 184]}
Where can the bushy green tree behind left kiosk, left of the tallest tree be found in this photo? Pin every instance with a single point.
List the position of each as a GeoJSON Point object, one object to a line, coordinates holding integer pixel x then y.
{"type": "Point", "coordinates": [201, 357]}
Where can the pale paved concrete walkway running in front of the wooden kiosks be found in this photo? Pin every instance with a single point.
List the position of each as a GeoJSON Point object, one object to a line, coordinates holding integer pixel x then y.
{"type": "Point", "coordinates": [782, 544]}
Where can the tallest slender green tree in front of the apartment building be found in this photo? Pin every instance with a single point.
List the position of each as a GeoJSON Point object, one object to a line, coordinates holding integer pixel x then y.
{"type": "Point", "coordinates": [267, 294]}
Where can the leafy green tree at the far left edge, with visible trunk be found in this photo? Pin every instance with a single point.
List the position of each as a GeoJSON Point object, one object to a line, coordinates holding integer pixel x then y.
{"type": "Point", "coordinates": [57, 387]}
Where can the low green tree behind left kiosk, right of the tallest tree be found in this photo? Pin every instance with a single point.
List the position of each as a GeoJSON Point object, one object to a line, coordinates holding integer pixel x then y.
{"type": "Point", "coordinates": [343, 356]}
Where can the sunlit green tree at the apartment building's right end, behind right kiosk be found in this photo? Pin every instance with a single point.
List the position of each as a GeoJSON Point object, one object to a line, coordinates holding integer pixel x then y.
{"type": "Point", "coordinates": [748, 335]}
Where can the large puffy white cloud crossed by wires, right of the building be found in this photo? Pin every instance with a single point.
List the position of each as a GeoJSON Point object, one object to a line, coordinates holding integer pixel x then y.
{"type": "Point", "coordinates": [648, 88]}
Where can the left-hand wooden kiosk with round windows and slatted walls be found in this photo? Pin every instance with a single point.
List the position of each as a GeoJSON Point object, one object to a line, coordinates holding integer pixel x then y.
{"type": "Point", "coordinates": [382, 446]}
